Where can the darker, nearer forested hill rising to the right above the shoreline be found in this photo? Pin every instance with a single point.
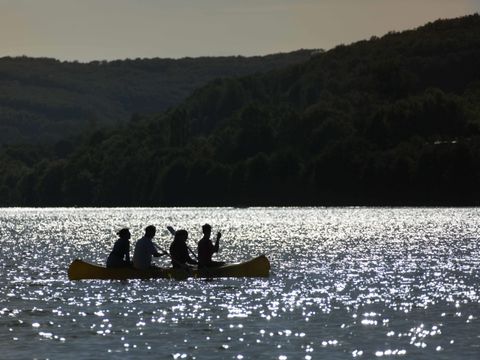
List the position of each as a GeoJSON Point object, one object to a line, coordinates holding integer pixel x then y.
{"type": "Point", "coordinates": [388, 121]}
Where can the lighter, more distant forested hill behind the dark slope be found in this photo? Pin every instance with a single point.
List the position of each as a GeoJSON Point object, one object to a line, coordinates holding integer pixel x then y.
{"type": "Point", "coordinates": [45, 99]}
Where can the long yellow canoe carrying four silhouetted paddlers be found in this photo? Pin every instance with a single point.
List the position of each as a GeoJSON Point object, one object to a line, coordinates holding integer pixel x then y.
{"type": "Point", "coordinates": [82, 270]}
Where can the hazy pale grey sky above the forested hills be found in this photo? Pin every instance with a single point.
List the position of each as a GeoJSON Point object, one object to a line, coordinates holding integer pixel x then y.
{"type": "Point", "coordinates": [116, 29]}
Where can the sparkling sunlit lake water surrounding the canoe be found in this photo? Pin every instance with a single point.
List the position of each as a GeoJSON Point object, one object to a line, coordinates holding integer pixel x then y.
{"type": "Point", "coordinates": [345, 283]}
